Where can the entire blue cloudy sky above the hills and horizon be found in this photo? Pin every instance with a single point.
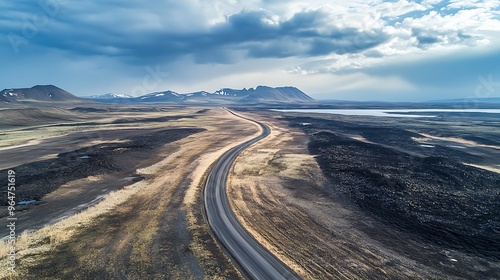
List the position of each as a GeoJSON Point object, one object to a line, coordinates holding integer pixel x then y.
{"type": "Point", "coordinates": [357, 50]}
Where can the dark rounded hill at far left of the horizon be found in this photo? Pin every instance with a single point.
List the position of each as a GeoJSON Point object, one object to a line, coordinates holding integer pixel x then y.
{"type": "Point", "coordinates": [40, 93]}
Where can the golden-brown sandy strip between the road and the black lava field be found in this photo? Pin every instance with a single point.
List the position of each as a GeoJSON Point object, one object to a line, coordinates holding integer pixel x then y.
{"type": "Point", "coordinates": [276, 189]}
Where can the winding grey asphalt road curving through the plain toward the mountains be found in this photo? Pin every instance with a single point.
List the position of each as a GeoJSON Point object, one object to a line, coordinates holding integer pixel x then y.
{"type": "Point", "coordinates": [256, 261]}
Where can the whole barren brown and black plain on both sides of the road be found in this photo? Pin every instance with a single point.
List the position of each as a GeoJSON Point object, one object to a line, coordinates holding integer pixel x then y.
{"type": "Point", "coordinates": [118, 193]}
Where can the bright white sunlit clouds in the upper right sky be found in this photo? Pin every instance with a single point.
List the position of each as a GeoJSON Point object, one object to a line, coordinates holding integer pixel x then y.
{"type": "Point", "coordinates": [433, 32]}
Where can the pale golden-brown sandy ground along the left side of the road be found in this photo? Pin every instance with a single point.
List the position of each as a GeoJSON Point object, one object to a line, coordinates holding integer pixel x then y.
{"type": "Point", "coordinates": [152, 229]}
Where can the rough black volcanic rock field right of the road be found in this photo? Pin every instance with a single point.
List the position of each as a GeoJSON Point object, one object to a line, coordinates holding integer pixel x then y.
{"type": "Point", "coordinates": [435, 195]}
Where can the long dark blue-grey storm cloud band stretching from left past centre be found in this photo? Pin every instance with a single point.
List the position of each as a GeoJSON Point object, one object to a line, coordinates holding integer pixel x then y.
{"type": "Point", "coordinates": [249, 33]}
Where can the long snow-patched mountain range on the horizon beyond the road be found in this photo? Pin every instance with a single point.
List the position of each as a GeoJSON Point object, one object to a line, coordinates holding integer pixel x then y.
{"type": "Point", "coordinates": [261, 94]}
